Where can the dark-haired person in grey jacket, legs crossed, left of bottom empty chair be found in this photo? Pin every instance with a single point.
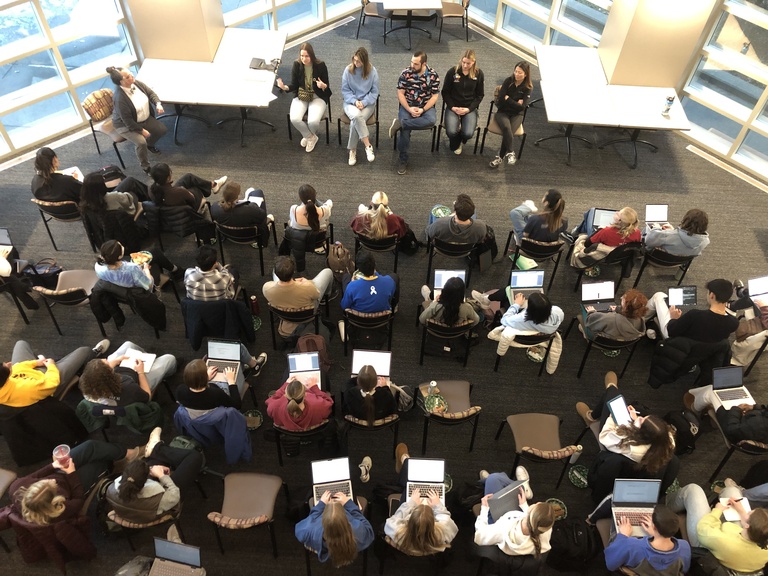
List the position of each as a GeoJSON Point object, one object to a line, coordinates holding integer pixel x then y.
{"type": "Point", "coordinates": [151, 486]}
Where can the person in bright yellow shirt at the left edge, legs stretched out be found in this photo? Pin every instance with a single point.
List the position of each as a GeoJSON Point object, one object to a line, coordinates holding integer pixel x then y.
{"type": "Point", "coordinates": [22, 383]}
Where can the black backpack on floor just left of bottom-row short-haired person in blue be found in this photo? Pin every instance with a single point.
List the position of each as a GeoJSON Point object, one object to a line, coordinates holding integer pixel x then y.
{"type": "Point", "coordinates": [574, 543]}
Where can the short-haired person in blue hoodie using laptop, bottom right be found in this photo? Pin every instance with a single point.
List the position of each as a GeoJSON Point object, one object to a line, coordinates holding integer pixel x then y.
{"type": "Point", "coordinates": [667, 555]}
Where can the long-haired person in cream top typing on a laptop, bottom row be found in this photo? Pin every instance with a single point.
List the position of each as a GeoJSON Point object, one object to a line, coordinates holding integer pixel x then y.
{"type": "Point", "coordinates": [418, 528]}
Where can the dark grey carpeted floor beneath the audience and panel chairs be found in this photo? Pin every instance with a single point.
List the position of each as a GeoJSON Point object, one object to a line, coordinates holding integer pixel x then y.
{"type": "Point", "coordinates": [270, 161]}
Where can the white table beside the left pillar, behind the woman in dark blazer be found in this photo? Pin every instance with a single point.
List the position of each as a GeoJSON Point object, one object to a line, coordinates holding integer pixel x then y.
{"type": "Point", "coordinates": [227, 81]}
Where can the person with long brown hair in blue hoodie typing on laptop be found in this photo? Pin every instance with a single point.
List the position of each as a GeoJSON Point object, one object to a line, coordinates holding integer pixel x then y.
{"type": "Point", "coordinates": [335, 530]}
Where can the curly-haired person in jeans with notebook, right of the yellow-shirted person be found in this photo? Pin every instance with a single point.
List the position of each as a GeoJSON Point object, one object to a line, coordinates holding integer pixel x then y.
{"type": "Point", "coordinates": [104, 381]}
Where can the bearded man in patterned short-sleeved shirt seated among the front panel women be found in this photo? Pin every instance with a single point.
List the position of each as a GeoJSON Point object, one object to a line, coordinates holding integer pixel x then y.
{"type": "Point", "coordinates": [417, 90]}
